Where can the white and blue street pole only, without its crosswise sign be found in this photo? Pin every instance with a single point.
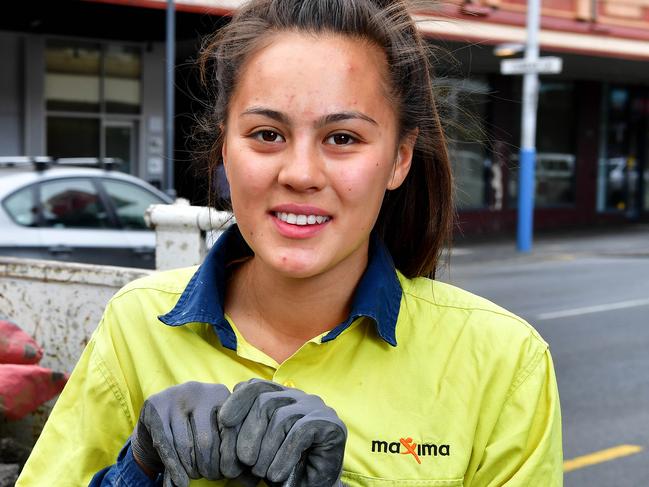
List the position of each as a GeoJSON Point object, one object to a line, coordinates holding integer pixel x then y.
{"type": "Point", "coordinates": [528, 131]}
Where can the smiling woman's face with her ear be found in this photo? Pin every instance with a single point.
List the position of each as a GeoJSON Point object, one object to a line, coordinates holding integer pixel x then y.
{"type": "Point", "coordinates": [310, 148]}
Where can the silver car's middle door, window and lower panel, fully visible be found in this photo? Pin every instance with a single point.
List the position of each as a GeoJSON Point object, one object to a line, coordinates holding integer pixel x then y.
{"type": "Point", "coordinates": [77, 226]}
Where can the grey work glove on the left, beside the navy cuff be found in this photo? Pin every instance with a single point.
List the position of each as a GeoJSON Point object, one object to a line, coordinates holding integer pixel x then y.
{"type": "Point", "coordinates": [177, 432]}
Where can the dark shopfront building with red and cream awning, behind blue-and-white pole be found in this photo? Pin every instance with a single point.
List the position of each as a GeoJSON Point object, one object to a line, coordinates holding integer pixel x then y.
{"type": "Point", "coordinates": [593, 118]}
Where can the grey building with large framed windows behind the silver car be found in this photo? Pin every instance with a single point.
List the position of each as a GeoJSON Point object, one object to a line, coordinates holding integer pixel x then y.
{"type": "Point", "coordinates": [87, 79]}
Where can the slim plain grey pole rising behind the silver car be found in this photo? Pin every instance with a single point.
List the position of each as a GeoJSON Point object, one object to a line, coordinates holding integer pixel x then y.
{"type": "Point", "coordinates": [169, 105]}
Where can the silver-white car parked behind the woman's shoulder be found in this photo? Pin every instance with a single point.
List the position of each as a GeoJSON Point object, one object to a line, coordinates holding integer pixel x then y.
{"type": "Point", "coordinates": [49, 210]}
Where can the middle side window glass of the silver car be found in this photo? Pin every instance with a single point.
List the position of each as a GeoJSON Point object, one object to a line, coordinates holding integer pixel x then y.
{"type": "Point", "coordinates": [72, 203]}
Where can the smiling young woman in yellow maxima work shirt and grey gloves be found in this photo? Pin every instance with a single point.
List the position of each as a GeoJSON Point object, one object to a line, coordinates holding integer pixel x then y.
{"type": "Point", "coordinates": [311, 347]}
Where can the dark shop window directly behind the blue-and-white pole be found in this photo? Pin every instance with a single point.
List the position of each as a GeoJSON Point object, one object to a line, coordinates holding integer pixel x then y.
{"type": "Point", "coordinates": [555, 147]}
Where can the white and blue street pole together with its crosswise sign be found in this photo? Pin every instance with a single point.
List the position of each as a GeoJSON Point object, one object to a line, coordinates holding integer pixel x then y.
{"type": "Point", "coordinates": [529, 67]}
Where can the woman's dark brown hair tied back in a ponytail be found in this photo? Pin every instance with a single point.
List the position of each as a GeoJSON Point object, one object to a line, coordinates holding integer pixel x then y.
{"type": "Point", "coordinates": [415, 220]}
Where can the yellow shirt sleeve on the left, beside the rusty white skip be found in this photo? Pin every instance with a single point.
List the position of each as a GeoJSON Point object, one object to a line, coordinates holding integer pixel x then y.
{"type": "Point", "coordinates": [90, 422]}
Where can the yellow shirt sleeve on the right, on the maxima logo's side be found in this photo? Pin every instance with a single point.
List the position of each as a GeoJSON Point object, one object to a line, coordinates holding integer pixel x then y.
{"type": "Point", "coordinates": [525, 448]}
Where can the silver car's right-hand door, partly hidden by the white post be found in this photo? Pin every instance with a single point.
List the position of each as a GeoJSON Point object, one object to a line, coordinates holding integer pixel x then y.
{"type": "Point", "coordinates": [129, 202]}
